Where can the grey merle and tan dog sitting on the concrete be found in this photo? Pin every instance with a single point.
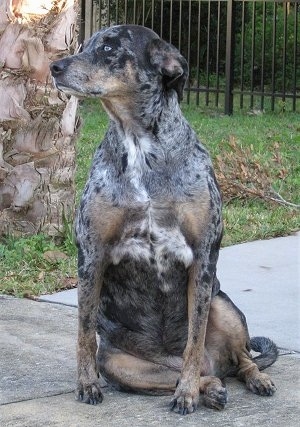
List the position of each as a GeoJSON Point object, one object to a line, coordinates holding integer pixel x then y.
{"type": "Point", "coordinates": [148, 231]}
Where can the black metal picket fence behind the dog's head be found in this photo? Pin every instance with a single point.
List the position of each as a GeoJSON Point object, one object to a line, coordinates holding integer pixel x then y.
{"type": "Point", "coordinates": [241, 53]}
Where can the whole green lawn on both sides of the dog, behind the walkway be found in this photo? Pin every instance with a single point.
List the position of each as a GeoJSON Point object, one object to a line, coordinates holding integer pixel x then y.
{"type": "Point", "coordinates": [271, 142]}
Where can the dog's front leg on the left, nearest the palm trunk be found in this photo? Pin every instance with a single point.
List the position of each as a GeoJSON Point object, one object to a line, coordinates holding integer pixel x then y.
{"type": "Point", "coordinates": [89, 287]}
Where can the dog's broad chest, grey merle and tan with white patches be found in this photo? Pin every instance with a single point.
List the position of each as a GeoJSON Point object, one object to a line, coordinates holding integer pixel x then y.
{"type": "Point", "coordinates": [147, 209]}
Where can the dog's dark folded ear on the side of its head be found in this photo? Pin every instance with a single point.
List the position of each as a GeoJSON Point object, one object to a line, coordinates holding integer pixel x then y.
{"type": "Point", "coordinates": [168, 61]}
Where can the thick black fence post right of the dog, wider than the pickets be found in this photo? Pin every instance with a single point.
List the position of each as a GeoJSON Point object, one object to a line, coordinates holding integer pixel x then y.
{"type": "Point", "coordinates": [230, 39]}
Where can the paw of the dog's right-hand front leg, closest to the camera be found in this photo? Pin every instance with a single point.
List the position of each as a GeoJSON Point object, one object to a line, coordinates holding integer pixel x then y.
{"type": "Point", "coordinates": [185, 401]}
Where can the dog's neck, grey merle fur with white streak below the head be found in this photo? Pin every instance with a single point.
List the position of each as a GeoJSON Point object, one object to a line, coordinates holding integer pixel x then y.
{"type": "Point", "coordinates": [147, 140]}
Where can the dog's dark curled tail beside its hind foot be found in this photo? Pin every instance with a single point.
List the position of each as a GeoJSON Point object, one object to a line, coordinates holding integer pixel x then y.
{"type": "Point", "coordinates": [268, 352]}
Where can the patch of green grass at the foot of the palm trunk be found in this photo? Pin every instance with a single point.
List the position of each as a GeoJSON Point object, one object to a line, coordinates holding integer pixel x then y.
{"type": "Point", "coordinates": [26, 270]}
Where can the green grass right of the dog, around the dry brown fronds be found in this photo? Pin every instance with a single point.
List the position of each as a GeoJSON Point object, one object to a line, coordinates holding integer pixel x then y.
{"type": "Point", "coordinates": [247, 220]}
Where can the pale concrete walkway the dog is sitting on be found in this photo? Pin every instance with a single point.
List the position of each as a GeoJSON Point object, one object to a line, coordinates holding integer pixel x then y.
{"type": "Point", "coordinates": [38, 339]}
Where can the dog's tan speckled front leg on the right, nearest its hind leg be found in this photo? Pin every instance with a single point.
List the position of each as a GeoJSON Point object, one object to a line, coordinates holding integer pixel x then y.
{"type": "Point", "coordinates": [186, 396]}
